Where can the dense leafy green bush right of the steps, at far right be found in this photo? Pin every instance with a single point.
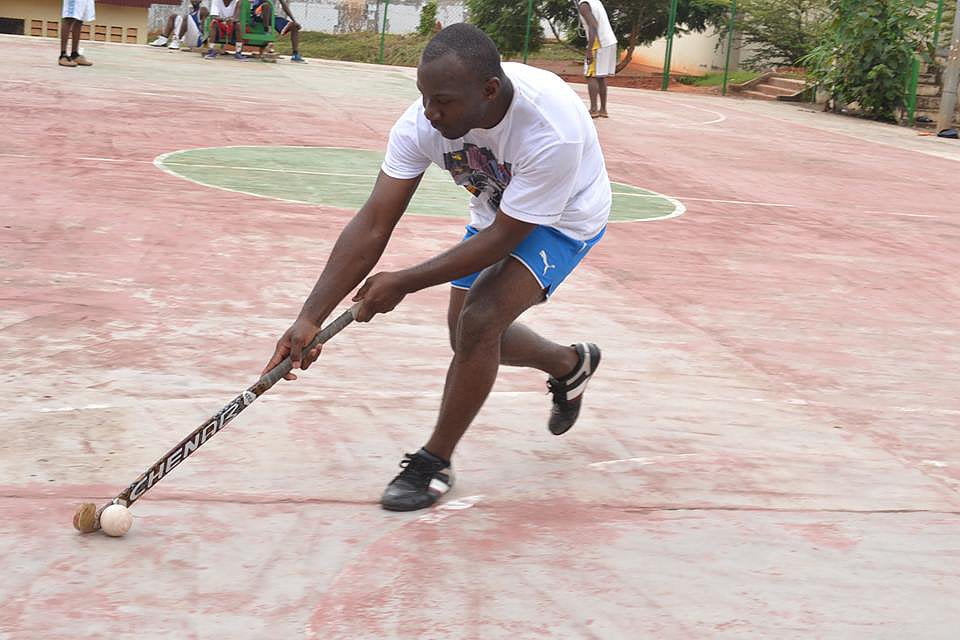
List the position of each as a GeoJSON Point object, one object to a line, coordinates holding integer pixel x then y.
{"type": "Point", "coordinates": [868, 52]}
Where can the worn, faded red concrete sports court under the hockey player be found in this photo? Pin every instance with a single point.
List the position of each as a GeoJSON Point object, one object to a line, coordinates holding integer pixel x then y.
{"type": "Point", "coordinates": [768, 451]}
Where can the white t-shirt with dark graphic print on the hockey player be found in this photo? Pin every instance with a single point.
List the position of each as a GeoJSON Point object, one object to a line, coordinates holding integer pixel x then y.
{"type": "Point", "coordinates": [541, 164]}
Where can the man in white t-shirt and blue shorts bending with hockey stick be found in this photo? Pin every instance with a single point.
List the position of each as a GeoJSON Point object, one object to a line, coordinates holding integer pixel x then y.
{"type": "Point", "coordinates": [521, 141]}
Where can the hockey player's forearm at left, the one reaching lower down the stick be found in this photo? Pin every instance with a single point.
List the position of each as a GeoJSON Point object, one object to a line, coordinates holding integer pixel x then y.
{"type": "Point", "coordinates": [355, 253]}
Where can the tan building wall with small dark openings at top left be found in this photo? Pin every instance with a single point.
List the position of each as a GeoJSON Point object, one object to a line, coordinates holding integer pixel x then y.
{"type": "Point", "coordinates": [113, 23]}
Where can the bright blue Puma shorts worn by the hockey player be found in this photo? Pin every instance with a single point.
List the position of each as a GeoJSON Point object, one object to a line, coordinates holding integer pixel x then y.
{"type": "Point", "coordinates": [549, 255]}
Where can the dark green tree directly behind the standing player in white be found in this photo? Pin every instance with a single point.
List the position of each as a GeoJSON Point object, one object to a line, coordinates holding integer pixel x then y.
{"type": "Point", "coordinates": [637, 22]}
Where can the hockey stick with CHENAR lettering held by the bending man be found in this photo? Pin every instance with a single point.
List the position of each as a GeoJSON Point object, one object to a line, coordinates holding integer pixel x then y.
{"type": "Point", "coordinates": [87, 517]}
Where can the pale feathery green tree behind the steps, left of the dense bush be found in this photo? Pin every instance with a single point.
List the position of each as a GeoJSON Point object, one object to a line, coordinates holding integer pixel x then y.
{"type": "Point", "coordinates": [780, 32]}
